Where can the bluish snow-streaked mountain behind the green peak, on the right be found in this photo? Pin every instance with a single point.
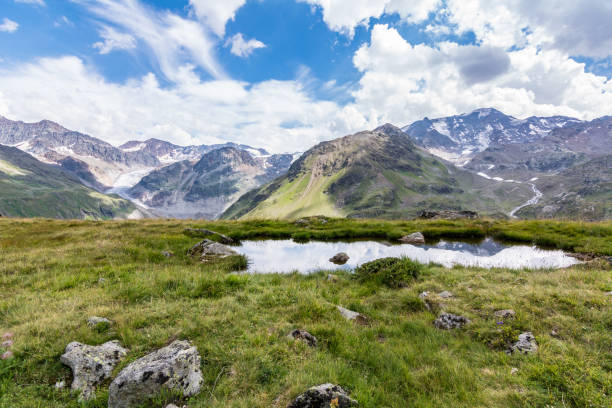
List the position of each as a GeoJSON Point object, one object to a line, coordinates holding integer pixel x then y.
{"type": "Point", "coordinates": [458, 138]}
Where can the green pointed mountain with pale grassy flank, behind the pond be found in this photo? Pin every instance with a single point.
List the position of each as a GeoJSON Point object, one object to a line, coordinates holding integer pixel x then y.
{"type": "Point", "coordinates": [378, 174]}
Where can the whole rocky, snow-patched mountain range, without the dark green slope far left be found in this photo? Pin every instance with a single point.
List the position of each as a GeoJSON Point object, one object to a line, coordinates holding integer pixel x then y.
{"type": "Point", "coordinates": [498, 165]}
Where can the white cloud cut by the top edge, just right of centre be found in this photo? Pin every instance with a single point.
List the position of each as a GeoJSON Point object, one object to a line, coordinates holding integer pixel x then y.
{"type": "Point", "coordinates": [344, 15]}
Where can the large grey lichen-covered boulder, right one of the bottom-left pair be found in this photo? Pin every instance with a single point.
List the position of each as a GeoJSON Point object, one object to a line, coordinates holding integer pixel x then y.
{"type": "Point", "coordinates": [174, 368]}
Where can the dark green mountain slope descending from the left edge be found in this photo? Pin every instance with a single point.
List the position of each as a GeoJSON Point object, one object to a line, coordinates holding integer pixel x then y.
{"type": "Point", "coordinates": [32, 188]}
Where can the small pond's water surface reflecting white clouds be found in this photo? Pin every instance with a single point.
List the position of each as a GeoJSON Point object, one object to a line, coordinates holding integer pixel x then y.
{"type": "Point", "coordinates": [289, 256]}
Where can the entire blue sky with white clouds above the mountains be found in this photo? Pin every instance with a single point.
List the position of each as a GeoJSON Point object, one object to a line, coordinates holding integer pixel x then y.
{"type": "Point", "coordinates": [287, 74]}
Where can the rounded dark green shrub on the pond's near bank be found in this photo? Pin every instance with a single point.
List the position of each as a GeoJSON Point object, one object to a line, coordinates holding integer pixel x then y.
{"type": "Point", "coordinates": [392, 272]}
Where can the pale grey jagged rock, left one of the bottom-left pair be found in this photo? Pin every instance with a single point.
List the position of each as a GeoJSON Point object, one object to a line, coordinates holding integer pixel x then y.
{"type": "Point", "coordinates": [91, 364]}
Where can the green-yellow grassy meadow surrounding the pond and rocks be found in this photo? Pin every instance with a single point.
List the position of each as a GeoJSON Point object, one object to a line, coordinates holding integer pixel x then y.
{"type": "Point", "coordinates": [51, 271]}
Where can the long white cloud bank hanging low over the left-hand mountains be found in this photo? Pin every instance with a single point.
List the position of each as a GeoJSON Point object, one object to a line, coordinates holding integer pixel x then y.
{"type": "Point", "coordinates": [69, 92]}
